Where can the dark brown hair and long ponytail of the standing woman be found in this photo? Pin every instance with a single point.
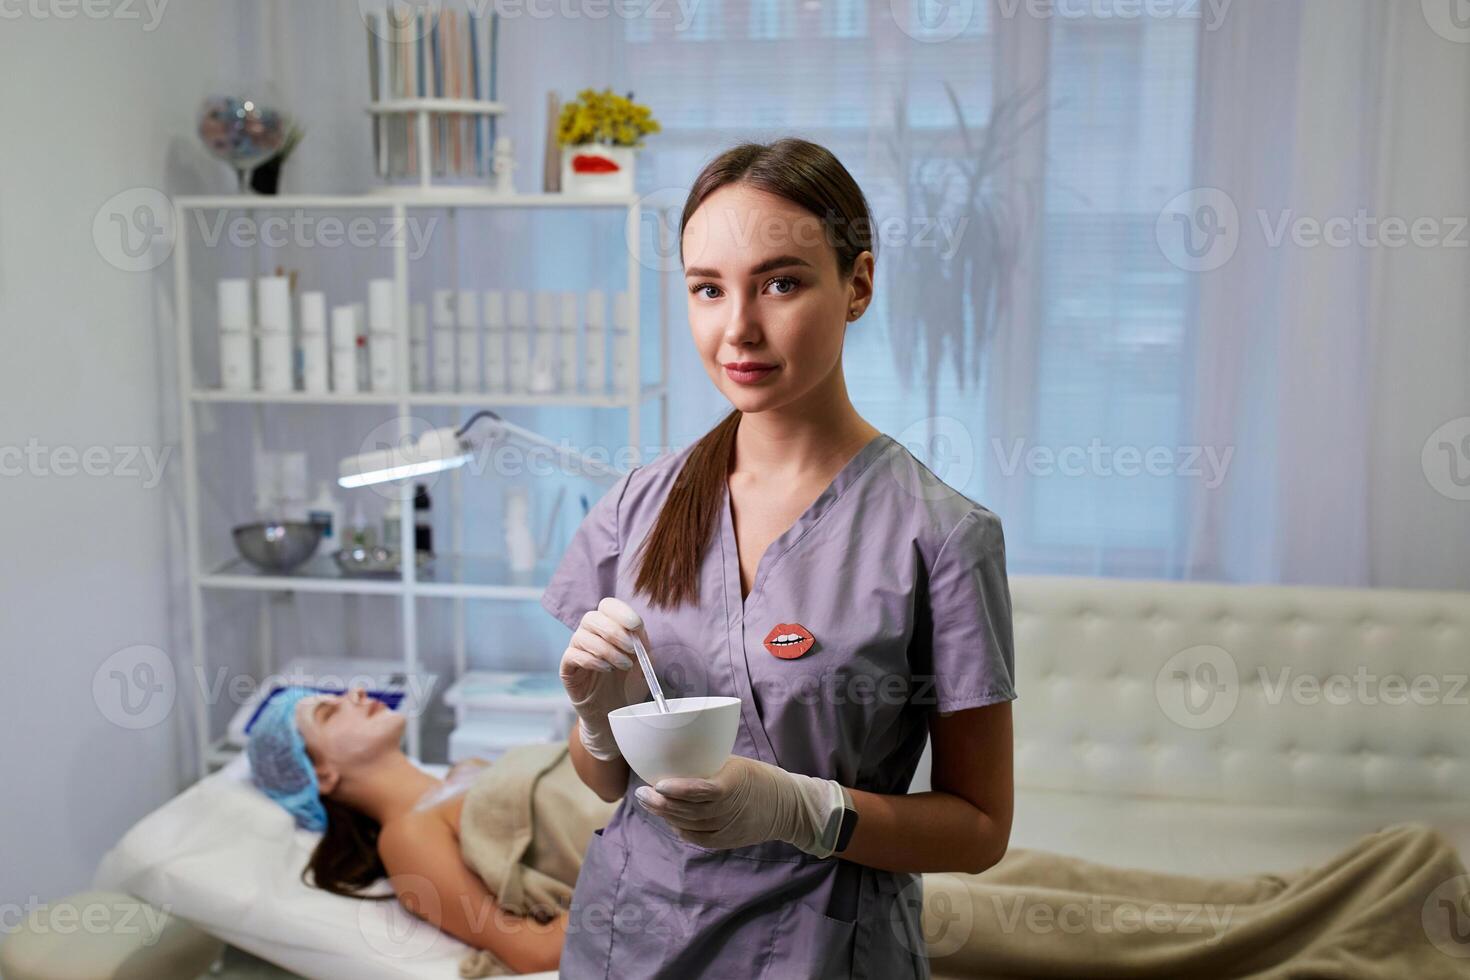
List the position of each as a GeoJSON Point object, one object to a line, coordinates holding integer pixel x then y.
{"type": "Point", "coordinates": [812, 179]}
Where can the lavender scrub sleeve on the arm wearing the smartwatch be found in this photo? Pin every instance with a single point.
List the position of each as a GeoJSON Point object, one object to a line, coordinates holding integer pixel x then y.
{"type": "Point", "coordinates": [974, 656]}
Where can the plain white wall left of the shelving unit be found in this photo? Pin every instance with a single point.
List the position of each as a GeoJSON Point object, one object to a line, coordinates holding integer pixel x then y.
{"type": "Point", "coordinates": [92, 108]}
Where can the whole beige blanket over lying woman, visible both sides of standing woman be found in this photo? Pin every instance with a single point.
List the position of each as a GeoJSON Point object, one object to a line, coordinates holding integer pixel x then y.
{"type": "Point", "coordinates": [1396, 904]}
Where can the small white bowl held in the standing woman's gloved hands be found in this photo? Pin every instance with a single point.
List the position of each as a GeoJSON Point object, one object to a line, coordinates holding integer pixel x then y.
{"type": "Point", "coordinates": [693, 740]}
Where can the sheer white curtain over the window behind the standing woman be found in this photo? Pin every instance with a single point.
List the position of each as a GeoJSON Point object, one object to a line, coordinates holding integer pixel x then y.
{"type": "Point", "coordinates": [1141, 412]}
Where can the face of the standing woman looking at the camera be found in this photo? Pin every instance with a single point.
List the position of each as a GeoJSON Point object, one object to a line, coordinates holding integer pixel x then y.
{"type": "Point", "coordinates": [765, 293]}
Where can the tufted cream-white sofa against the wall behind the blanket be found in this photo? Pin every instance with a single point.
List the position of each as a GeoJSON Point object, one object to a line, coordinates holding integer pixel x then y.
{"type": "Point", "coordinates": [1225, 729]}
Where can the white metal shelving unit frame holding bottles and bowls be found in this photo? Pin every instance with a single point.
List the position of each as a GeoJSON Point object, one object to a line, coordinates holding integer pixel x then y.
{"type": "Point", "coordinates": [452, 577]}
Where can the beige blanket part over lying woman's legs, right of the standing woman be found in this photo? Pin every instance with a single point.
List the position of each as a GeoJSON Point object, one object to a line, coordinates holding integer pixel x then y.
{"type": "Point", "coordinates": [1396, 904]}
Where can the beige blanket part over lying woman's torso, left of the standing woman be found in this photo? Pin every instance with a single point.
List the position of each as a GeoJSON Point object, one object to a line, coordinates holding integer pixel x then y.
{"type": "Point", "coordinates": [524, 831]}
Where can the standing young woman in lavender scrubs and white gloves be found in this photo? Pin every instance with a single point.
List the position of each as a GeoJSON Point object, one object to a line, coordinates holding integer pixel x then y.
{"type": "Point", "coordinates": [809, 565]}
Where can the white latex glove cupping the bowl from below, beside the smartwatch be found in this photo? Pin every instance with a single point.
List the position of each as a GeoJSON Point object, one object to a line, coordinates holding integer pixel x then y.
{"type": "Point", "coordinates": [747, 803]}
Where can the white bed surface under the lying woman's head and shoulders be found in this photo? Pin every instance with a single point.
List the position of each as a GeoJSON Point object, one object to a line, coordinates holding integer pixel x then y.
{"type": "Point", "coordinates": [227, 859]}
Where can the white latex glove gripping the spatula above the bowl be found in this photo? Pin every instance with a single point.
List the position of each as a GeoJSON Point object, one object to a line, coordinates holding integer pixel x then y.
{"type": "Point", "coordinates": [600, 672]}
